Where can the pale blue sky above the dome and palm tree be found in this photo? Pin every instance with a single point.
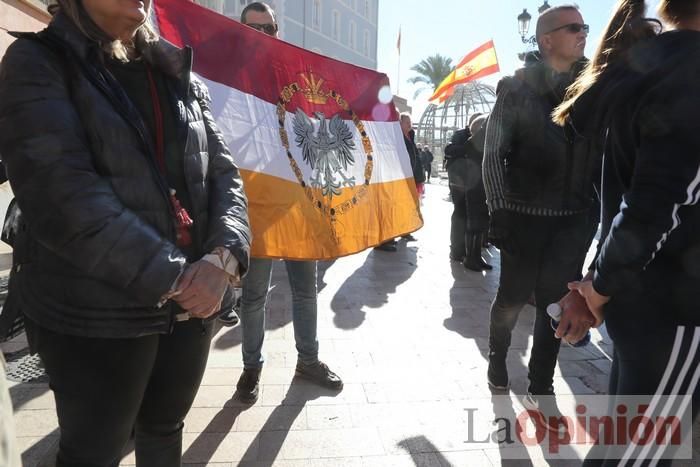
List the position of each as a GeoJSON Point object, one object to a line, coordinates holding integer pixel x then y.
{"type": "Point", "coordinates": [456, 27]}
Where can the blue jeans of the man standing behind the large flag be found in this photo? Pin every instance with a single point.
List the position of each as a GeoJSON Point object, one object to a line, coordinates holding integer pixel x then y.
{"type": "Point", "coordinates": [256, 284]}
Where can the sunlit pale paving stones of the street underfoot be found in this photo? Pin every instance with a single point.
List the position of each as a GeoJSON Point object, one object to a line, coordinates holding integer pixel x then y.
{"type": "Point", "coordinates": [407, 332]}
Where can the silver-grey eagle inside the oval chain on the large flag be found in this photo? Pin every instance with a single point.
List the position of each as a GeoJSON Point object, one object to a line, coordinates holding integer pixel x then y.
{"type": "Point", "coordinates": [328, 151]}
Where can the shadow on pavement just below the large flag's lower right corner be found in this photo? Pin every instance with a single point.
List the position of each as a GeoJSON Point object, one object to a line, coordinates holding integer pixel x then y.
{"type": "Point", "coordinates": [370, 285]}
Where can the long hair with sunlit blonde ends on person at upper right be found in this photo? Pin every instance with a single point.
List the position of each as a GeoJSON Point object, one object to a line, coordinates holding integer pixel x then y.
{"type": "Point", "coordinates": [626, 27]}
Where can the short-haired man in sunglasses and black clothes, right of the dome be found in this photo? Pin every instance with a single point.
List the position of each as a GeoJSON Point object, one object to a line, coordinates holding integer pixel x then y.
{"type": "Point", "coordinates": [540, 192]}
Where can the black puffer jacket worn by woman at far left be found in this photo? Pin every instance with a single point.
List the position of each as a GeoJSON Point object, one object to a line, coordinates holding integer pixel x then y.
{"type": "Point", "coordinates": [96, 251]}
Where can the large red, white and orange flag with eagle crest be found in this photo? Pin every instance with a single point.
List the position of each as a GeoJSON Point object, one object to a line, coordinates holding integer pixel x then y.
{"type": "Point", "coordinates": [318, 141]}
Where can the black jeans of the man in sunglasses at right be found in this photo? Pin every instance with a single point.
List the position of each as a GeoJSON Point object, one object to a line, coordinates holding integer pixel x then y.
{"type": "Point", "coordinates": [547, 256]}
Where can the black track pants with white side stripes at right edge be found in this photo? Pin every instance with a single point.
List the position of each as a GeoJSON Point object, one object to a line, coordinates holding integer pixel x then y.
{"type": "Point", "coordinates": [653, 356]}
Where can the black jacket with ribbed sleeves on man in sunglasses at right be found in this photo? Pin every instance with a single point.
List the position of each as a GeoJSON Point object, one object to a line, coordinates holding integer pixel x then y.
{"type": "Point", "coordinates": [548, 169]}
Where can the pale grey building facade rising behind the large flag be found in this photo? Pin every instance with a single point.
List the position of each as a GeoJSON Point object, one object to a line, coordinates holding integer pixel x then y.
{"type": "Point", "coordinates": [342, 29]}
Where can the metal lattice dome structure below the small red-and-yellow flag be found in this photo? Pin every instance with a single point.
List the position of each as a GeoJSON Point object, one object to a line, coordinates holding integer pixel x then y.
{"type": "Point", "coordinates": [438, 122]}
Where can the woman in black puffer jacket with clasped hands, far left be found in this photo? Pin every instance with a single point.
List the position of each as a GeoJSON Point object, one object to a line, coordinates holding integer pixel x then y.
{"type": "Point", "coordinates": [133, 224]}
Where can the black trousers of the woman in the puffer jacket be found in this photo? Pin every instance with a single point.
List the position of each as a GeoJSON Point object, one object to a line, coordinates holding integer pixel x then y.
{"type": "Point", "coordinates": [105, 388]}
